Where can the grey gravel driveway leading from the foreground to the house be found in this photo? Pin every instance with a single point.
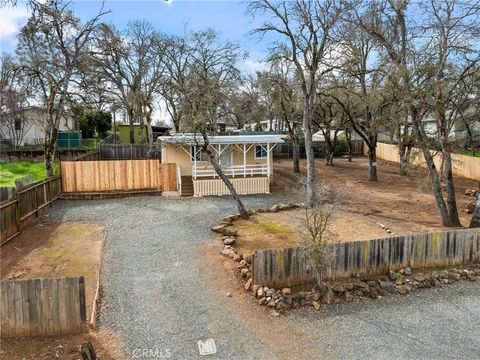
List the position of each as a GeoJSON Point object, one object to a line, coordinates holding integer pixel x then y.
{"type": "Point", "coordinates": [161, 299]}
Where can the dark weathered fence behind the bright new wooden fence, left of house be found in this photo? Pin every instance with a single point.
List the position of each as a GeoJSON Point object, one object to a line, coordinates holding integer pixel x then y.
{"type": "Point", "coordinates": [129, 151]}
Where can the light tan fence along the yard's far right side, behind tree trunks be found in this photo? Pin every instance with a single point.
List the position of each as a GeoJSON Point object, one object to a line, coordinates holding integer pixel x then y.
{"type": "Point", "coordinates": [463, 165]}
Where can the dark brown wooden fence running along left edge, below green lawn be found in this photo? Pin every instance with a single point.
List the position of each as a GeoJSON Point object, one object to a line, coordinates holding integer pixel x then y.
{"type": "Point", "coordinates": [27, 202]}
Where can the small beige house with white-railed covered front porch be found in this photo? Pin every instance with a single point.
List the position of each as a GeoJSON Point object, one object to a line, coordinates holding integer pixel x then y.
{"type": "Point", "coordinates": [246, 159]}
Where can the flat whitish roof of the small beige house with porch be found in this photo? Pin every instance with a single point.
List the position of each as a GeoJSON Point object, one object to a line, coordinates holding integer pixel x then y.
{"type": "Point", "coordinates": [194, 139]}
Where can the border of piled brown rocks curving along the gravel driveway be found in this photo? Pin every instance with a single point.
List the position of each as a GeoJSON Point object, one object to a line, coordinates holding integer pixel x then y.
{"type": "Point", "coordinates": [401, 282]}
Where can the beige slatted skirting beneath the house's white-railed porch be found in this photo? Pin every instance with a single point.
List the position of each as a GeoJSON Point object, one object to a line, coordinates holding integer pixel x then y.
{"type": "Point", "coordinates": [244, 186]}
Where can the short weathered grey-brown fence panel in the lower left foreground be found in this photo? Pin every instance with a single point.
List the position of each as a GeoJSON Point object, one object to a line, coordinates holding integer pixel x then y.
{"type": "Point", "coordinates": [42, 307]}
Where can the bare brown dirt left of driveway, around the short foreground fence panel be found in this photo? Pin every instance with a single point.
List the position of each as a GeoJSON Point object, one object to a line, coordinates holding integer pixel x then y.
{"type": "Point", "coordinates": [54, 249]}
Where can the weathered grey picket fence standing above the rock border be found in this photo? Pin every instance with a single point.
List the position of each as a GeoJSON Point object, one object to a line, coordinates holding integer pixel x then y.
{"type": "Point", "coordinates": [292, 266]}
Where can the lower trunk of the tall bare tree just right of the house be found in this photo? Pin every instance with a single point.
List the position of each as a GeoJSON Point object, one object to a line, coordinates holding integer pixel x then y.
{"type": "Point", "coordinates": [307, 120]}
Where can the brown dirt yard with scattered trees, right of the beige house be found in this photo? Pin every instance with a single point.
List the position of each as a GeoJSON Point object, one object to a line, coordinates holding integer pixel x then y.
{"type": "Point", "coordinates": [402, 204]}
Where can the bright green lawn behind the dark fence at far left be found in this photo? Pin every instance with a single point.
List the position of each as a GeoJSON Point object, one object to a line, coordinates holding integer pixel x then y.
{"type": "Point", "coordinates": [14, 170]}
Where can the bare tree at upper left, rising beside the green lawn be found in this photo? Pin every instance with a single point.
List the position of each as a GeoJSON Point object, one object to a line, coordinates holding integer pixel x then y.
{"type": "Point", "coordinates": [50, 48]}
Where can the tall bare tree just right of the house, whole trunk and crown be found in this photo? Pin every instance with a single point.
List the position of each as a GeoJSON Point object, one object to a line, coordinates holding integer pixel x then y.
{"type": "Point", "coordinates": [305, 28]}
